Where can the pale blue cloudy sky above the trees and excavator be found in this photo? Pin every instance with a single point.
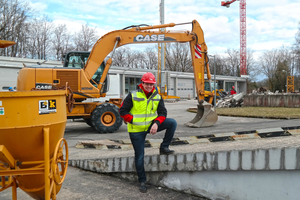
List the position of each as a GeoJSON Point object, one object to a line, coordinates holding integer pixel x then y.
{"type": "Point", "coordinates": [270, 23]}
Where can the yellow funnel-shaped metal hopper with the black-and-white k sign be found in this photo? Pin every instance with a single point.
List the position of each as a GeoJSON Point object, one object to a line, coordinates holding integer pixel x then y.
{"type": "Point", "coordinates": [22, 120]}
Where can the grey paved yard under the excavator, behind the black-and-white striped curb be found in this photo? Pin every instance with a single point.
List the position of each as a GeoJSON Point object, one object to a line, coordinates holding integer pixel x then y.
{"type": "Point", "coordinates": [78, 130]}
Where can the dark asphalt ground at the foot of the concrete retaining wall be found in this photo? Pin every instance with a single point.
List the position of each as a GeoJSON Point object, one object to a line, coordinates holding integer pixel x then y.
{"type": "Point", "coordinates": [84, 185]}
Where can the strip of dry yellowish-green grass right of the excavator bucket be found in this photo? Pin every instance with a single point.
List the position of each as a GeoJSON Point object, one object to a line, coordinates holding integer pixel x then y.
{"type": "Point", "coordinates": [262, 112]}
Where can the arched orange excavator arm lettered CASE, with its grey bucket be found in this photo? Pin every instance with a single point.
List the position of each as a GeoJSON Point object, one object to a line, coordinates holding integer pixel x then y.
{"type": "Point", "coordinates": [151, 34]}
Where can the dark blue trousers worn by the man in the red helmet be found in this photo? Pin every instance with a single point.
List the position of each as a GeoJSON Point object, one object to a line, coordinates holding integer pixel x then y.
{"type": "Point", "coordinates": [138, 143]}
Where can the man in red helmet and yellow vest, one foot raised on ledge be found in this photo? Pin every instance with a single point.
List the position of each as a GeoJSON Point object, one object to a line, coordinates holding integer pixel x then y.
{"type": "Point", "coordinates": [144, 112]}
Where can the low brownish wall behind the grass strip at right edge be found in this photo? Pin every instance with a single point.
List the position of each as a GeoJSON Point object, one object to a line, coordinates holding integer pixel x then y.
{"type": "Point", "coordinates": [291, 100]}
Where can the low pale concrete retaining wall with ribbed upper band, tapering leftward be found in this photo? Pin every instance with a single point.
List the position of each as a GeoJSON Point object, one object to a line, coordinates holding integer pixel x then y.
{"type": "Point", "coordinates": [271, 174]}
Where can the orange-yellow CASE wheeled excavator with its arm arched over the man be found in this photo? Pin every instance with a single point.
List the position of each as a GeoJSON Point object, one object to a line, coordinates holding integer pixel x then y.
{"type": "Point", "coordinates": [90, 80]}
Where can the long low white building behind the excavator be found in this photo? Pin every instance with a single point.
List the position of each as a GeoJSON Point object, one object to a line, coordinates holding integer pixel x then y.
{"type": "Point", "coordinates": [122, 80]}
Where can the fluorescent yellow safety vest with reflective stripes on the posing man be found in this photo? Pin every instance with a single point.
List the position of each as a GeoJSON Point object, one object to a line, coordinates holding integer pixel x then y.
{"type": "Point", "coordinates": [143, 111]}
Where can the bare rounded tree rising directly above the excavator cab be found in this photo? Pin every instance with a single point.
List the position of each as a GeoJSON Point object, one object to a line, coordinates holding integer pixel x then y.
{"type": "Point", "coordinates": [85, 39]}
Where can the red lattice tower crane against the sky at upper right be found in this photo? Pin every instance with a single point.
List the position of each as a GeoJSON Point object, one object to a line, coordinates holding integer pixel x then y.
{"type": "Point", "coordinates": [243, 41]}
